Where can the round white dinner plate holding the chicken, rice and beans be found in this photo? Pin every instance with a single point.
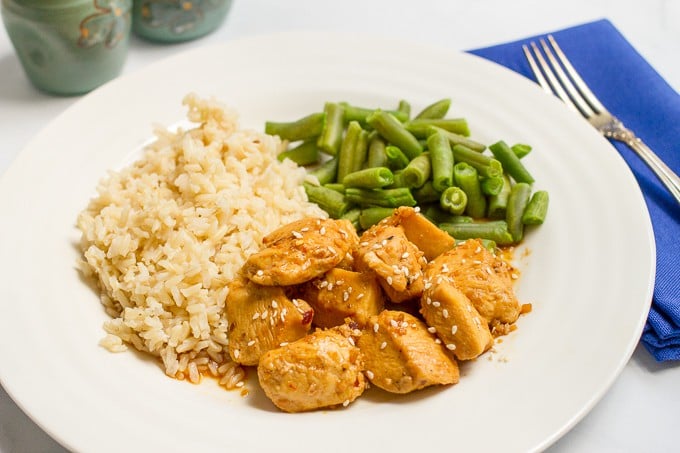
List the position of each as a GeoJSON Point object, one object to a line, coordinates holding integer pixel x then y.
{"type": "Point", "coordinates": [588, 271]}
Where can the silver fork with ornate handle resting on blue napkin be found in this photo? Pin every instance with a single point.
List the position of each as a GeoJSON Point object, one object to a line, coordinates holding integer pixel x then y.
{"type": "Point", "coordinates": [571, 88]}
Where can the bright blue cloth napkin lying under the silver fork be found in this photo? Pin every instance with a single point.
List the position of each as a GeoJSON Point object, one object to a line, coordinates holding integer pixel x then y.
{"type": "Point", "coordinates": [633, 91]}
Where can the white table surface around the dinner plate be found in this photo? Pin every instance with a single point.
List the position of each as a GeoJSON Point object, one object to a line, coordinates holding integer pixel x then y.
{"type": "Point", "coordinates": [641, 411]}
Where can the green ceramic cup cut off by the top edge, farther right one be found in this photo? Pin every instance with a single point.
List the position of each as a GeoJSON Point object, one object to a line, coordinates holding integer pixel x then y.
{"type": "Point", "coordinates": [170, 21]}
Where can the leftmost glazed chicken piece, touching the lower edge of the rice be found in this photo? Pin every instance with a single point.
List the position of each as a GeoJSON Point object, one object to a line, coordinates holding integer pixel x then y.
{"type": "Point", "coordinates": [262, 318]}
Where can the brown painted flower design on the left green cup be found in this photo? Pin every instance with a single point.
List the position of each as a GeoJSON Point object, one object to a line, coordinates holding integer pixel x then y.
{"type": "Point", "coordinates": [107, 26]}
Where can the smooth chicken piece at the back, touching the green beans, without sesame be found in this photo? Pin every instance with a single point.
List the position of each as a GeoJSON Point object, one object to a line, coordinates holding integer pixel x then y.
{"type": "Point", "coordinates": [425, 235]}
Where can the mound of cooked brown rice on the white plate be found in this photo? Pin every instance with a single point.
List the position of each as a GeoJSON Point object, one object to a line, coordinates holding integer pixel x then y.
{"type": "Point", "coordinates": [165, 235]}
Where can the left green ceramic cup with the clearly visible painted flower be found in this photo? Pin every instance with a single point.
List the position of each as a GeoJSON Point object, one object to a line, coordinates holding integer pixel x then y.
{"type": "Point", "coordinates": [69, 47]}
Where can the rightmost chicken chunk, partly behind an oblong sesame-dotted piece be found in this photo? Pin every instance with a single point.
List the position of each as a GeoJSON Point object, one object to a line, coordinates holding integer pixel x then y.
{"type": "Point", "coordinates": [483, 277]}
